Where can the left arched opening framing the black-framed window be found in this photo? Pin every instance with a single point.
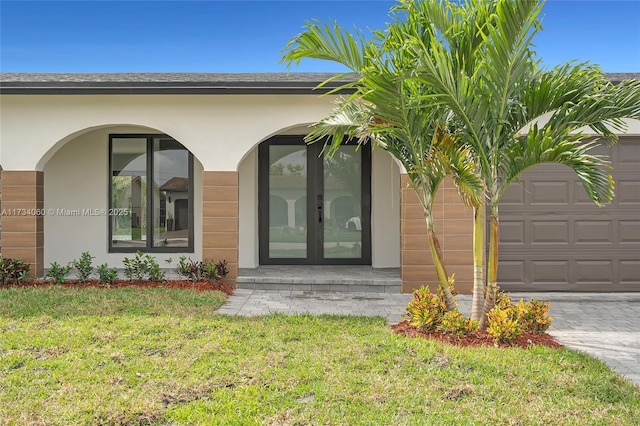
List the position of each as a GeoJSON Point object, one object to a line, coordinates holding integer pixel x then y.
{"type": "Point", "coordinates": [113, 190]}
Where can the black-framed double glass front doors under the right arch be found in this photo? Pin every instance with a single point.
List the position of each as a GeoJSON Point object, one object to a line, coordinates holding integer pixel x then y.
{"type": "Point", "coordinates": [314, 209]}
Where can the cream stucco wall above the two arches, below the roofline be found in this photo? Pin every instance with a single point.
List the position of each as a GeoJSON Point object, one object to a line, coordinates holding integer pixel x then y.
{"type": "Point", "coordinates": [219, 130]}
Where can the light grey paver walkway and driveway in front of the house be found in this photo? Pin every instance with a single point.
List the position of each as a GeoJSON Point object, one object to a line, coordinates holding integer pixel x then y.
{"type": "Point", "coordinates": [606, 326]}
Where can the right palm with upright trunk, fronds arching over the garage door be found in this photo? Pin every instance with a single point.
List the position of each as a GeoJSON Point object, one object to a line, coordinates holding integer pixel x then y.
{"type": "Point", "coordinates": [513, 113]}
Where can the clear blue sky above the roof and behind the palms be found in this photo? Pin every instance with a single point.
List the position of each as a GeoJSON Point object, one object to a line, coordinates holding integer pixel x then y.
{"type": "Point", "coordinates": [248, 36]}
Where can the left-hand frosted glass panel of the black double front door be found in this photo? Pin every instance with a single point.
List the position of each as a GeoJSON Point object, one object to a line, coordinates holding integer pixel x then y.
{"type": "Point", "coordinates": [287, 201]}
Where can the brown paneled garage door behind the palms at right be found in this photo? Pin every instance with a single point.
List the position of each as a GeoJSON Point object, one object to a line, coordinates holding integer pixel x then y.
{"type": "Point", "coordinates": [553, 238]}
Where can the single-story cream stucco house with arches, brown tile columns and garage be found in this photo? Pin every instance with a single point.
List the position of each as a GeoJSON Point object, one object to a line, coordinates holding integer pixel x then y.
{"type": "Point", "coordinates": [213, 166]}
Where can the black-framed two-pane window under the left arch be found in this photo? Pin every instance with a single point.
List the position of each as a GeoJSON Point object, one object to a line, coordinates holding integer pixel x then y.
{"type": "Point", "coordinates": [150, 194]}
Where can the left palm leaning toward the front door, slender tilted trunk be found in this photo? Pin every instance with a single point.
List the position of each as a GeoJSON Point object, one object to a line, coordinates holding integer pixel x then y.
{"type": "Point", "coordinates": [388, 110]}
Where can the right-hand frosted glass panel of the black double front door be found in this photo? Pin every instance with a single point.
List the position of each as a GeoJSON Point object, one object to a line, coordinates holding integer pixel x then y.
{"type": "Point", "coordinates": [342, 224]}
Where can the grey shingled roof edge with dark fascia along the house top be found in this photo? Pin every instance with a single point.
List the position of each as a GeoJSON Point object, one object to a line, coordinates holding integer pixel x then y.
{"type": "Point", "coordinates": [182, 83]}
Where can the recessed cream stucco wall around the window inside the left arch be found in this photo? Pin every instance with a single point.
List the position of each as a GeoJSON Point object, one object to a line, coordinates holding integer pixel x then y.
{"type": "Point", "coordinates": [76, 177]}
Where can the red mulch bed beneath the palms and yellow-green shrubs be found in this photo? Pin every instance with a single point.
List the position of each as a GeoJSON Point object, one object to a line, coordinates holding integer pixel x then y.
{"type": "Point", "coordinates": [478, 338]}
